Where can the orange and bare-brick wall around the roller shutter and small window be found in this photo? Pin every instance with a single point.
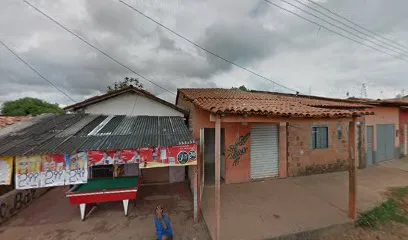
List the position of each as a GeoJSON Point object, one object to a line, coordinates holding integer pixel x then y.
{"type": "Point", "coordinates": [301, 159]}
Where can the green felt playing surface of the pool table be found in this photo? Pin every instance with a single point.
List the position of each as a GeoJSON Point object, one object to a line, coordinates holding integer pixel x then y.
{"type": "Point", "coordinates": [108, 184]}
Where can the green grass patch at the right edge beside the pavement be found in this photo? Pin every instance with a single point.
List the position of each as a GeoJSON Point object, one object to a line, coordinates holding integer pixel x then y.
{"type": "Point", "coordinates": [390, 210]}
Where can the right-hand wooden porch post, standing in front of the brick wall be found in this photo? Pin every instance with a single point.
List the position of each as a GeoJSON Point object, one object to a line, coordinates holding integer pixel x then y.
{"type": "Point", "coordinates": [352, 170]}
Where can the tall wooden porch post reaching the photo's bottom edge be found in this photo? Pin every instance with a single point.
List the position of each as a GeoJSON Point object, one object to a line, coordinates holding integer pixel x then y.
{"type": "Point", "coordinates": [217, 176]}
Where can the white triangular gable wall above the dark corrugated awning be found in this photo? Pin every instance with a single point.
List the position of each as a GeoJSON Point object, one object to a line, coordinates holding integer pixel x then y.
{"type": "Point", "coordinates": [132, 105]}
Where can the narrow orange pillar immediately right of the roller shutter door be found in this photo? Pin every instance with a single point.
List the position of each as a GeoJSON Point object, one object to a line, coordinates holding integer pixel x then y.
{"type": "Point", "coordinates": [283, 150]}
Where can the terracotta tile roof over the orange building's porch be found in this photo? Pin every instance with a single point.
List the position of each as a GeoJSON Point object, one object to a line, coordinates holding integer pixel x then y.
{"type": "Point", "coordinates": [267, 103]}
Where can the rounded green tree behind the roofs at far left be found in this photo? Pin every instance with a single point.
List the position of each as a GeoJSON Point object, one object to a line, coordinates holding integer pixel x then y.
{"type": "Point", "coordinates": [29, 106]}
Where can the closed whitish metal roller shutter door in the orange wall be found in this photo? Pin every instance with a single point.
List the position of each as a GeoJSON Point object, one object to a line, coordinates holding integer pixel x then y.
{"type": "Point", "coordinates": [264, 151]}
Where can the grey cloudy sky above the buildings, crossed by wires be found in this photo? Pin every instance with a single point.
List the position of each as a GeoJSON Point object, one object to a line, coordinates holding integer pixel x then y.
{"type": "Point", "coordinates": [251, 33]}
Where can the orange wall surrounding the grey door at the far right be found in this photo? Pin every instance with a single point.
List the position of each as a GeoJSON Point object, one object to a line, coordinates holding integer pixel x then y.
{"type": "Point", "coordinates": [383, 115]}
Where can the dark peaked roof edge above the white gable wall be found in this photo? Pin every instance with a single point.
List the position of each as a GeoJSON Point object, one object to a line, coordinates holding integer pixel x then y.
{"type": "Point", "coordinates": [115, 93]}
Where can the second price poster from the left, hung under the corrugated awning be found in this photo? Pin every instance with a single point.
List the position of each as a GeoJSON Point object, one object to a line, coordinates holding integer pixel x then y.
{"type": "Point", "coordinates": [28, 171]}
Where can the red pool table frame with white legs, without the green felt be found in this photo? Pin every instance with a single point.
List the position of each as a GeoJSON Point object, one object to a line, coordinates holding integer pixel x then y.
{"type": "Point", "coordinates": [113, 195]}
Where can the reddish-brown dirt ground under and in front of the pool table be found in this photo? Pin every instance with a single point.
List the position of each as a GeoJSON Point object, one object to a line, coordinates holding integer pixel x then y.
{"type": "Point", "coordinates": [53, 217]}
